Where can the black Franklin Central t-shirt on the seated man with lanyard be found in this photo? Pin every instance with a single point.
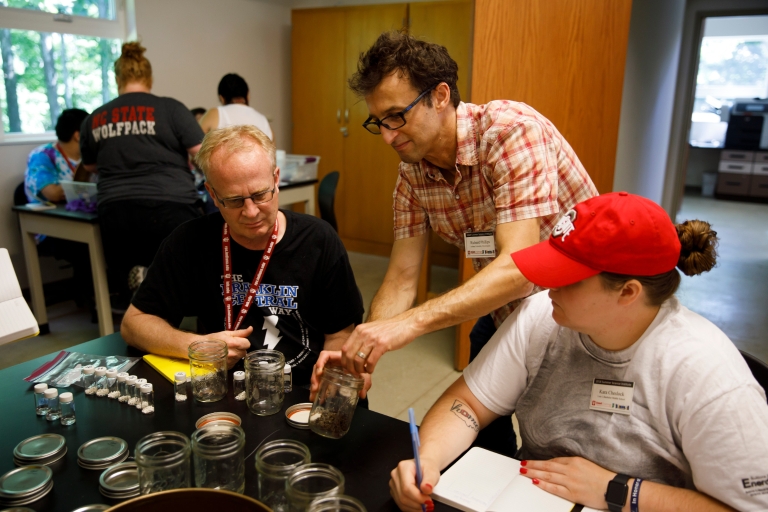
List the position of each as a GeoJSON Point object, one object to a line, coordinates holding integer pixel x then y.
{"type": "Point", "coordinates": [308, 289]}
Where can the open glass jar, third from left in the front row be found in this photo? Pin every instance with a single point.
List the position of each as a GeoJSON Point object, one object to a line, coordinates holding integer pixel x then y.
{"type": "Point", "coordinates": [275, 461]}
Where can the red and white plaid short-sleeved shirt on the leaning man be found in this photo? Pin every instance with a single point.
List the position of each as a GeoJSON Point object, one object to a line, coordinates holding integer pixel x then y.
{"type": "Point", "coordinates": [511, 164]}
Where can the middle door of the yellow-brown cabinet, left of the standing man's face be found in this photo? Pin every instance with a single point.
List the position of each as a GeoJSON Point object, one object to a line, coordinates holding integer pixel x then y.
{"type": "Point", "coordinates": [370, 165]}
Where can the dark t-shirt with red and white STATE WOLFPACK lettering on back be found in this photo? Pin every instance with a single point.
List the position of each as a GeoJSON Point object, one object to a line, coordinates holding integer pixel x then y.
{"type": "Point", "coordinates": [139, 142]}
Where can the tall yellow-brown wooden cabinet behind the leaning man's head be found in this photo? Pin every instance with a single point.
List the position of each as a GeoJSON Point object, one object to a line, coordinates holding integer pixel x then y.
{"type": "Point", "coordinates": [328, 117]}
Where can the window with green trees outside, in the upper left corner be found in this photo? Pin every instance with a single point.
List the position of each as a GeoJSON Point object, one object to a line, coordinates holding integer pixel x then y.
{"type": "Point", "coordinates": [52, 62]}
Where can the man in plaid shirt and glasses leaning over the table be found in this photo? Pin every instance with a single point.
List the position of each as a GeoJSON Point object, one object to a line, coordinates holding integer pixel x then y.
{"type": "Point", "coordinates": [478, 175]}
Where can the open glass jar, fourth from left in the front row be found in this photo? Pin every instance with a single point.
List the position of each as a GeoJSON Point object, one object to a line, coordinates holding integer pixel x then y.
{"type": "Point", "coordinates": [312, 481]}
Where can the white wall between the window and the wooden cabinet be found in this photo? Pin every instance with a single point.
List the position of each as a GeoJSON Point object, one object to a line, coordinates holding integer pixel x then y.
{"type": "Point", "coordinates": [193, 43]}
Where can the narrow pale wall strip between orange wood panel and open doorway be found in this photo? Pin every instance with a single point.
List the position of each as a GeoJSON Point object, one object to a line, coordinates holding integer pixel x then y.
{"type": "Point", "coordinates": [649, 88]}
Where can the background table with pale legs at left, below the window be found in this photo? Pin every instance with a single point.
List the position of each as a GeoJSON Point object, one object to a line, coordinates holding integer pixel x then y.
{"type": "Point", "coordinates": [76, 226]}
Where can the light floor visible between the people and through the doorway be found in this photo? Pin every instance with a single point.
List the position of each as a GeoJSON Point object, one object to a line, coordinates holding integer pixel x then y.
{"type": "Point", "coordinates": [734, 296]}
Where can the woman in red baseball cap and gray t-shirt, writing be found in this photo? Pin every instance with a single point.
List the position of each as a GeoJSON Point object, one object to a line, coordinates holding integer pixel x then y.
{"type": "Point", "coordinates": [626, 399]}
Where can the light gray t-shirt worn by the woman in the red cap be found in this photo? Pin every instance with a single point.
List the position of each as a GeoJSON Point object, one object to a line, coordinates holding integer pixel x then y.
{"type": "Point", "coordinates": [698, 417]}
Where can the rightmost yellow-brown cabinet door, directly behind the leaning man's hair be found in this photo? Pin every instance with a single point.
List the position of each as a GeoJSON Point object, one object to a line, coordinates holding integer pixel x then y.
{"type": "Point", "coordinates": [448, 24]}
